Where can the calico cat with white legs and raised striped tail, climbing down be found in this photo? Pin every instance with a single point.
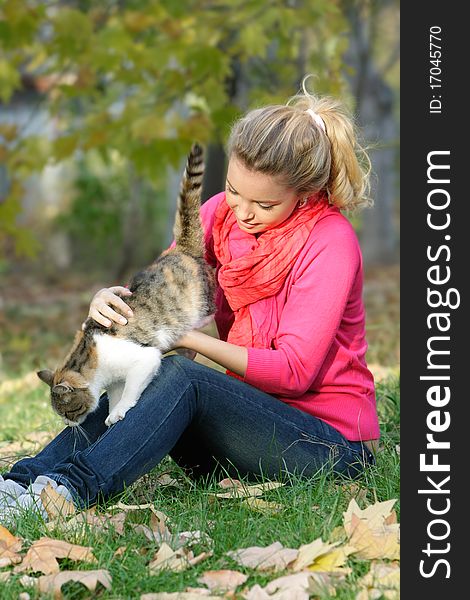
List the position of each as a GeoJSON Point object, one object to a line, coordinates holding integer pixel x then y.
{"type": "Point", "coordinates": [169, 298]}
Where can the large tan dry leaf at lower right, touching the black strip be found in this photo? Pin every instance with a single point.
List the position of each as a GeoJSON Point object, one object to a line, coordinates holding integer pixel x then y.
{"type": "Point", "coordinates": [381, 542]}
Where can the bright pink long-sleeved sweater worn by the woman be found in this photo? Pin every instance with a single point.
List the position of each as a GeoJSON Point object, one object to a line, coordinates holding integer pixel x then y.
{"type": "Point", "coordinates": [317, 360]}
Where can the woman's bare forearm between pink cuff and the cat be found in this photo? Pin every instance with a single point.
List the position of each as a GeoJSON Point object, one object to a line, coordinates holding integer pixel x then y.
{"type": "Point", "coordinates": [234, 358]}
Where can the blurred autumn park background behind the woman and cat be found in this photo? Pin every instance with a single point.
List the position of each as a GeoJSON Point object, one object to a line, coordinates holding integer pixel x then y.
{"type": "Point", "coordinates": [99, 104]}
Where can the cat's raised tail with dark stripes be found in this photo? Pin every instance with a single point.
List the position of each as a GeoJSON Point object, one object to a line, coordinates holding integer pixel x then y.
{"type": "Point", "coordinates": [189, 234]}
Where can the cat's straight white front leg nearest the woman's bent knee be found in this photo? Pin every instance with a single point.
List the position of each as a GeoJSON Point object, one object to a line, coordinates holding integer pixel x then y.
{"type": "Point", "coordinates": [138, 377]}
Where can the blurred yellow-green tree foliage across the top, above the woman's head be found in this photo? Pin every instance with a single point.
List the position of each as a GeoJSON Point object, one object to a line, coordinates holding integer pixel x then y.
{"type": "Point", "coordinates": [146, 78]}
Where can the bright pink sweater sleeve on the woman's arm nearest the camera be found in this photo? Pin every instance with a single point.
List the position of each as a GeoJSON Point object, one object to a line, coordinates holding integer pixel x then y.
{"type": "Point", "coordinates": [312, 314]}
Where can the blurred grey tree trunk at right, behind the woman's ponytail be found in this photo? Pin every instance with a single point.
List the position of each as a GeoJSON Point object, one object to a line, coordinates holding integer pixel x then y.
{"type": "Point", "coordinates": [374, 104]}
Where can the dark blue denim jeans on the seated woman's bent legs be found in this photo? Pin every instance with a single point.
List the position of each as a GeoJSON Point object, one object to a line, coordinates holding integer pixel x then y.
{"type": "Point", "coordinates": [205, 420]}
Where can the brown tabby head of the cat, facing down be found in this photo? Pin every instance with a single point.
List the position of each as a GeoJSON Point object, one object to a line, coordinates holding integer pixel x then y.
{"type": "Point", "coordinates": [71, 397]}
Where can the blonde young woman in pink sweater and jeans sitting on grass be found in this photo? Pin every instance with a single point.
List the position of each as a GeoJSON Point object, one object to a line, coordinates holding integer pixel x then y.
{"type": "Point", "coordinates": [297, 396]}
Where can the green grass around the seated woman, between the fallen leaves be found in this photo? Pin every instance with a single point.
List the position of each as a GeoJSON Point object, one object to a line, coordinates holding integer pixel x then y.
{"type": "Point", "coordinates": [311, 508]}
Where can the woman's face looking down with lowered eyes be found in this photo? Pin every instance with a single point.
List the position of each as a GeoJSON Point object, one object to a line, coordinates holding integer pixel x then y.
{"type": "Point", "coordinates": [259, 202]}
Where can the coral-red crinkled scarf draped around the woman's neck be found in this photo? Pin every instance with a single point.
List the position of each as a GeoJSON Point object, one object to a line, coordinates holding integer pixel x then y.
{"type": "Point", "coordinates": [251, 281]}
